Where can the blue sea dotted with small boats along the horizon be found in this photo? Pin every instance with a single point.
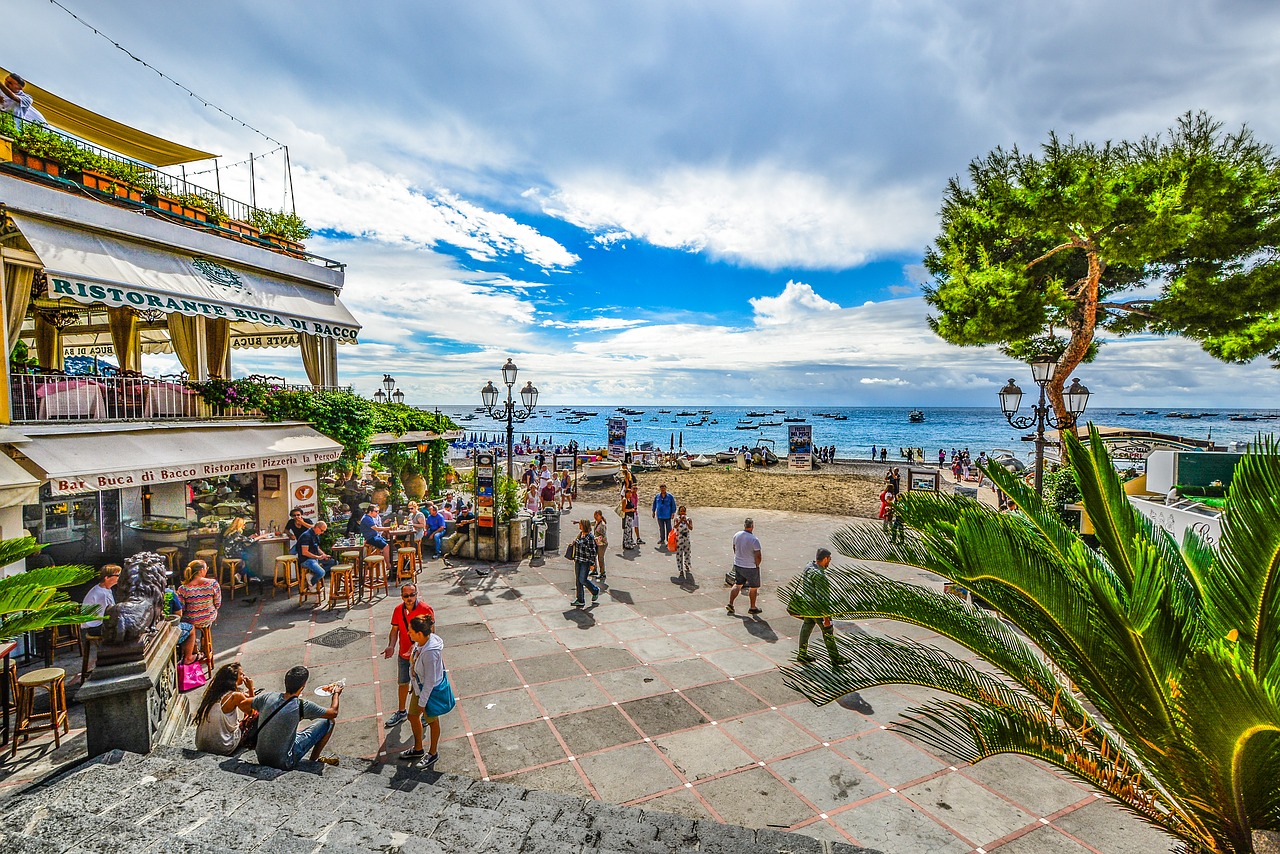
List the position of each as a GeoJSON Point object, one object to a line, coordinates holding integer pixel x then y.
{"type": "Point", "coordinates": [975, 428]}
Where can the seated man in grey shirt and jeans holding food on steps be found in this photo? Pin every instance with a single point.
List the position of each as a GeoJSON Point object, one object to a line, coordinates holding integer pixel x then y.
{"type": "Point", "coordinates": [280, 743]}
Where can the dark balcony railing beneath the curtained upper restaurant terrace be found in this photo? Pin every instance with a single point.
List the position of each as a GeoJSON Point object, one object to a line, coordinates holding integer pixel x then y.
{"type": "Point", "coordinates": [58, 399]}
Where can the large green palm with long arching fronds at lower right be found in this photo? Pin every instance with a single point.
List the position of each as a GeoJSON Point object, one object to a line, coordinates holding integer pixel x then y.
{"type": "Point", "coordinates": [1146, 668]}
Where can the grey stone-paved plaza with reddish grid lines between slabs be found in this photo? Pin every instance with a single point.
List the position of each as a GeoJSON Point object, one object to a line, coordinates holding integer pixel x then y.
{"type": "Point", "coordinates": [659, 698]}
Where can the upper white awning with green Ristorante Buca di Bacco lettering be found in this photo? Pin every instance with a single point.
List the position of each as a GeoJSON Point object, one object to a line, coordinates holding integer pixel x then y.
{"type": "Point", "coordinates": [97, 270]}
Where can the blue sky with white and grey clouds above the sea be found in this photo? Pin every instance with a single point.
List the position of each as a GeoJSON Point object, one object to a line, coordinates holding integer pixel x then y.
{"type": "Point", "coordinates": [710, 203]}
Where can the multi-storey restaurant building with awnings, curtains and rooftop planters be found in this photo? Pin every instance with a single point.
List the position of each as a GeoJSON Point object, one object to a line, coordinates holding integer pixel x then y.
{"type": "Point", "coordinates": [104, 465]}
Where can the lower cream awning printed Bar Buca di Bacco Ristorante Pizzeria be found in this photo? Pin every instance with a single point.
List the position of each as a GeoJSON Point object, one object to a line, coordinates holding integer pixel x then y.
{"type": "Point", "coordinates": [116, 459]}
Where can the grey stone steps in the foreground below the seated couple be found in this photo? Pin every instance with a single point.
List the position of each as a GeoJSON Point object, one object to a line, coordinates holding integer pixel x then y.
{"type": "Point", "coordinates": [182, 802]}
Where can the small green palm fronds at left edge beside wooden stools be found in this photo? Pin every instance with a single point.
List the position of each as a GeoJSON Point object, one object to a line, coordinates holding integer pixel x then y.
{"type": "Point", "coordinates": [35, 600]}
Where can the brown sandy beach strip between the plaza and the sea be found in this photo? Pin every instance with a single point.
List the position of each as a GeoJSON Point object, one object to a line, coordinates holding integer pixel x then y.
{"type": "Point", "coordinates": [840, 490]}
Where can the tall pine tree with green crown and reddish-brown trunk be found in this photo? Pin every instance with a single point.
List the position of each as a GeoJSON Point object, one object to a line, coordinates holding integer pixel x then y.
{"type": "Point", "coordinates": [1078, 236]}
